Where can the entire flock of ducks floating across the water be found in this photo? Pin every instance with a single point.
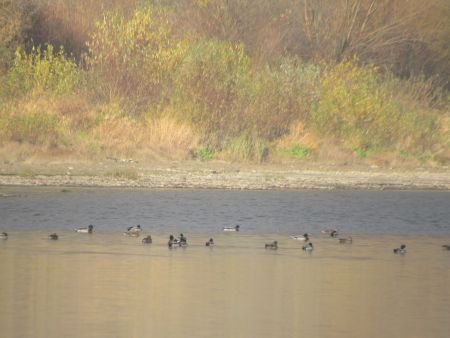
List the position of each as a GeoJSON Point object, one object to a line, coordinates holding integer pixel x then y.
{"type": "Point", "coordinates": [181, 241]}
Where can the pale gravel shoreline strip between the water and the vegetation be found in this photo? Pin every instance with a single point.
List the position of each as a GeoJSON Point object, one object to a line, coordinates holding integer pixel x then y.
{"type": "Point", "coordinates": [219, 177]}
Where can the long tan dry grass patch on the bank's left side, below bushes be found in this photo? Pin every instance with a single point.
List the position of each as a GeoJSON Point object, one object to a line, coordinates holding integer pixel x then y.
{"type": "Point", "coordinates": [82, 130]}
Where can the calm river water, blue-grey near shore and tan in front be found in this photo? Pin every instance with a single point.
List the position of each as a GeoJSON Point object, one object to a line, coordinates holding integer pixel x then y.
{"type": "Point", "coordinates": [110, 285]}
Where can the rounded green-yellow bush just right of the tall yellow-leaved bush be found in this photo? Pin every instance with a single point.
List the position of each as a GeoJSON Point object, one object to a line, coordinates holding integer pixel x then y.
{"type": "Point", "coordinates": [206, 86]}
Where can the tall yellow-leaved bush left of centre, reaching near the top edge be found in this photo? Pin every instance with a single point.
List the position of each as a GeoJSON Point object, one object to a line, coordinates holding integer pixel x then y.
{"type": "Point", "coordinates": [133, 57]}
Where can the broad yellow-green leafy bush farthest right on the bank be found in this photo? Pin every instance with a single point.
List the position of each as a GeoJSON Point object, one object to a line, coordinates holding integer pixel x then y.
{"type": "Point", "coordinates": [359, 107]}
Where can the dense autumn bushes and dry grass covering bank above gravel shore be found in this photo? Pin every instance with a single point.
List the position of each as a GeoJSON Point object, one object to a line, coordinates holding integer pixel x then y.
{"type": "Point", "coordinates": [227, 79]}
